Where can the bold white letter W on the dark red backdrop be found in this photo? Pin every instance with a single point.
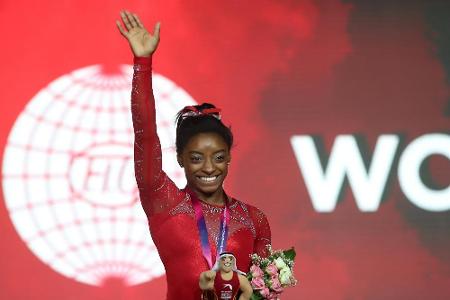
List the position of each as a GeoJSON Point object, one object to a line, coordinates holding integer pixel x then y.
{"type": "Point", "coordinates": [345, 160]}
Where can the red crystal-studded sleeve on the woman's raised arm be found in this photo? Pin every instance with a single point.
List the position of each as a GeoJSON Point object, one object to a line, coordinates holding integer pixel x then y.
{"type": "Point", "coordinates": [157, 192]}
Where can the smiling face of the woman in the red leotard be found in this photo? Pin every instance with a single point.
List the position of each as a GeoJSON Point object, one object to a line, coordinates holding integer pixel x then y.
{"type": "Point", "coordinates": [205, 160]}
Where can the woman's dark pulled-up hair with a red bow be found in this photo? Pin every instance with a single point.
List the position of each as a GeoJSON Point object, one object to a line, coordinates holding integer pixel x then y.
{"type": "Point", "coordinates": [192, 120]}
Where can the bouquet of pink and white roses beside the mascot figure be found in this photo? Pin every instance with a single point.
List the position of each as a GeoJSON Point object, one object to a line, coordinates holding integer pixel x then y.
{"type": "Point", "coordinates": [270, 276]}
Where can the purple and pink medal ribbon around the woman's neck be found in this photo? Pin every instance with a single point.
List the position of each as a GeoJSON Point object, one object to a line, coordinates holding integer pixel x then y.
{"type": "Point", "coordinates": [203, 231]}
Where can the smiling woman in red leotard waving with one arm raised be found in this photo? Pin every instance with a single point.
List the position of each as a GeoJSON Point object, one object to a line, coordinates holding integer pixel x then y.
{"type": "Point", "coordinates": [189, 226]}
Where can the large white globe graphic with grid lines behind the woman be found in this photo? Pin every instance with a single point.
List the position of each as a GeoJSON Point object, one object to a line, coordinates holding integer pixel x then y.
{"type": "Point", "coordinates": [68, 175]}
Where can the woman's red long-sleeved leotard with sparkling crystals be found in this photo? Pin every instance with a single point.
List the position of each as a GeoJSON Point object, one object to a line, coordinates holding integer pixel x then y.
{"type": "Point", "coordinates": [169, 210]}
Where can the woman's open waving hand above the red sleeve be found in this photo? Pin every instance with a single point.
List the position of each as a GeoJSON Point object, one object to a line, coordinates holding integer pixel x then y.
{"type": "Point", "coordinates": [141, 42]}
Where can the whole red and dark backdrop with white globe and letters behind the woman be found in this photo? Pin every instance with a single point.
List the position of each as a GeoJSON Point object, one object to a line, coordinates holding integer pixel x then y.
{"type": "Point", "coordinates": [341, 113]}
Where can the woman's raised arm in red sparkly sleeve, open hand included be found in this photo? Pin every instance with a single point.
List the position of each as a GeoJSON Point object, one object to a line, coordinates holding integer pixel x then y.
{"type": "Point", "coordinates": [156, 190]}
